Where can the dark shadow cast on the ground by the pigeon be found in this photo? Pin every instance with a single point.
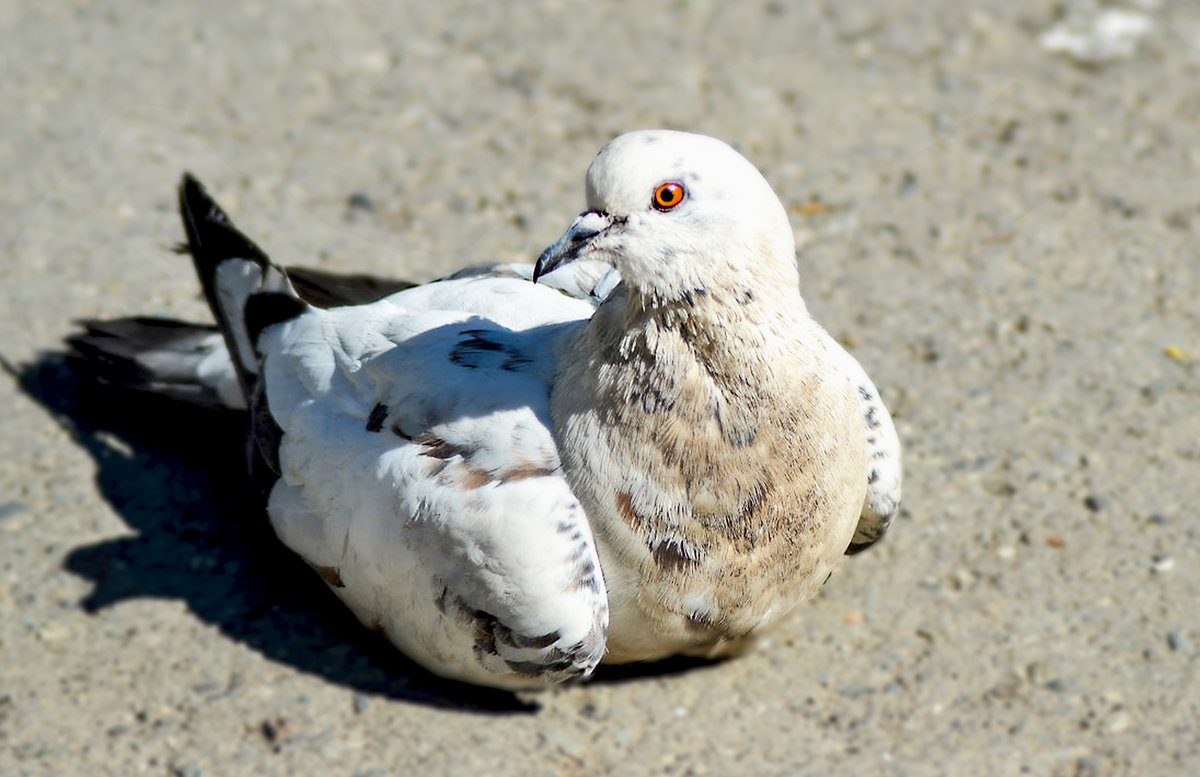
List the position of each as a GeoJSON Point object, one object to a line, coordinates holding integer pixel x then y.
{"type": "Point", "coordinates": [176, 475]}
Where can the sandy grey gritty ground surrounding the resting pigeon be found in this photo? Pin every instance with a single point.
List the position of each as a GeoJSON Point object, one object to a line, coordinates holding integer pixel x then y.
{"type": "Point", "coordinates": [1005, 237]}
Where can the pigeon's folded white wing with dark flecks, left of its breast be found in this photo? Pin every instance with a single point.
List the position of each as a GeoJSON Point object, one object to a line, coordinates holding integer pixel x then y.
{"type": "Point", "coordinates": [422, 479]}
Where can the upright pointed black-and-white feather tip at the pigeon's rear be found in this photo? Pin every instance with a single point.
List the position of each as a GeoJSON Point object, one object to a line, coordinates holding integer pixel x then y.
{"type": "Point", "coordinates": [245, 291]}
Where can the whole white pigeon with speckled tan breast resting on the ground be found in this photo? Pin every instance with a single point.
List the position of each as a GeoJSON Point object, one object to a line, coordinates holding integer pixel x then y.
{"type": "Point", "coordinates": [640, 447]}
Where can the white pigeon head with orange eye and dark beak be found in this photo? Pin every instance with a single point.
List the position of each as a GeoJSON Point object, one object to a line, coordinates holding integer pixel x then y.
{"type": "Point", "coordinates": [680, 215]}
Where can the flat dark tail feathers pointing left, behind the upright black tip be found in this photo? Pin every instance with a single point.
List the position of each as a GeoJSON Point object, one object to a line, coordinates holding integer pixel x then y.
{"type": "Point", "coordinates": [151, 356]}
